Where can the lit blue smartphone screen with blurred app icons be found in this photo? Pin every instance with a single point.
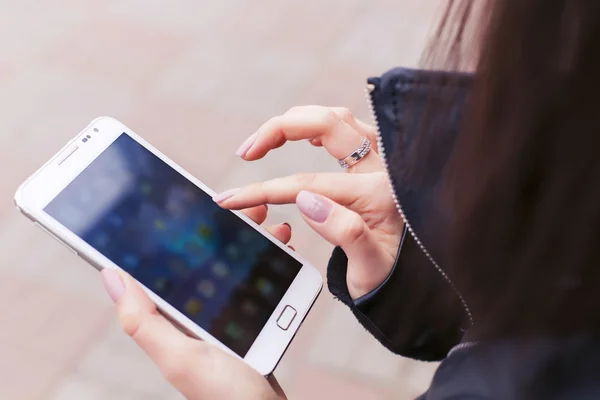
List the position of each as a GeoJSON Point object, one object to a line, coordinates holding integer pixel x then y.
{"type": "Point", "coordinates": [168, 234]}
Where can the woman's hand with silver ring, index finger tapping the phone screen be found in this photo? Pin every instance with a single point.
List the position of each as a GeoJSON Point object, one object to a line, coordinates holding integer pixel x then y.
{"type": "Point", "coordinates": [354, 210]}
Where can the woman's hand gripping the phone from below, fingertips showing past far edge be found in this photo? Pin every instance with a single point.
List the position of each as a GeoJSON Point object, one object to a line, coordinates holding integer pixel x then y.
{"type": "Point", "coordinates": [200, 371]}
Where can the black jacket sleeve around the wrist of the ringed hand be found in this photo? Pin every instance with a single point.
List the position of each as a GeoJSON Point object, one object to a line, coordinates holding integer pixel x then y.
{"type": "Point", "coordinates": [401, 312]}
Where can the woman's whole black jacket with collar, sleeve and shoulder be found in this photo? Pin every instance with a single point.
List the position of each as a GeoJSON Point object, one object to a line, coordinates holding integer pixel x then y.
{"type": "Point", "coordinates": [548, 369]}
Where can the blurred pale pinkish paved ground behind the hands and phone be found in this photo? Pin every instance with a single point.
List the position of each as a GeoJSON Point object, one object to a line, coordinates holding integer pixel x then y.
{"type": "Point", "coordinates": [195, 78]}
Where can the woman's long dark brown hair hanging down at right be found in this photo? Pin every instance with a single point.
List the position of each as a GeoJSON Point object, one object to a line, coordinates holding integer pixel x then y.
{"type": "Point", "coordinates": [523, 179]}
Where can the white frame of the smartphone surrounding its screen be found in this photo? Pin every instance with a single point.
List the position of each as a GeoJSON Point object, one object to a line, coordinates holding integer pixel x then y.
{"type": "Point", "coordinates": [42, 187]}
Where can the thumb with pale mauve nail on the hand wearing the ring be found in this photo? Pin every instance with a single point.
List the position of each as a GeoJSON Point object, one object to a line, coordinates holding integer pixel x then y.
{"type": "Point", "coordinates": [368, 263]}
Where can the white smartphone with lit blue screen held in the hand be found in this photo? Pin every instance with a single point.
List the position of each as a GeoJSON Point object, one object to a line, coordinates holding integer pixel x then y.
{"type": "Point", "coordinates": [117, 202]}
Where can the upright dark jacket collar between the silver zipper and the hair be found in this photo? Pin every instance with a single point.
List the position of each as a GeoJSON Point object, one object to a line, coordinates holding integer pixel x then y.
{"type": "Point", "coordinates": [418, 114]}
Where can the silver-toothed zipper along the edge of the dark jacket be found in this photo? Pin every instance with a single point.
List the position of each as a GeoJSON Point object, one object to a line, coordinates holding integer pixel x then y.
{"type": "Point", "coordinates": [368, 91]}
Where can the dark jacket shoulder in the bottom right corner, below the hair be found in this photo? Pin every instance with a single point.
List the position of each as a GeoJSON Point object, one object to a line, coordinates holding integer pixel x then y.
{"type": "Point", "coordinates": [537, 369]}
